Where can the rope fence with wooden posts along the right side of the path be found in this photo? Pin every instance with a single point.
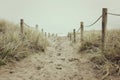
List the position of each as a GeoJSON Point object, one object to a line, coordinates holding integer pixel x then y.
{"type": "Point", "coordinates": [103, 17]}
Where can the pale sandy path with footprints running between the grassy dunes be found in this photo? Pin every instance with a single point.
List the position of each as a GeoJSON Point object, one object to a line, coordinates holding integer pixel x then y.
{"type": "Point", "coordinates": [61, 61]}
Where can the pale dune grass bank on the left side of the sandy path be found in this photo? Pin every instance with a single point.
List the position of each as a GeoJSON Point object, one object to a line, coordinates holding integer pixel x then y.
{"type": "Point", "coordinates": [16, 46]}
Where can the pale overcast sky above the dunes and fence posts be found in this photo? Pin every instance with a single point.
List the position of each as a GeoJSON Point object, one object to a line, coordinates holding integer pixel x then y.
{"type": "Point", "coordinates": [60, 16]}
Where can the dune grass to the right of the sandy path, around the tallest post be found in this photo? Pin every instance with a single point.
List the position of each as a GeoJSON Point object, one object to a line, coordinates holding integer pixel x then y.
{"type": "Point", "coordinates": [107, 64]}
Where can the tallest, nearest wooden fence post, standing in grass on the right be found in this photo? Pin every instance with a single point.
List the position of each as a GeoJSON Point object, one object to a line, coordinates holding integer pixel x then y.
{"type": "Point", "coordinates": [104, 24]}
